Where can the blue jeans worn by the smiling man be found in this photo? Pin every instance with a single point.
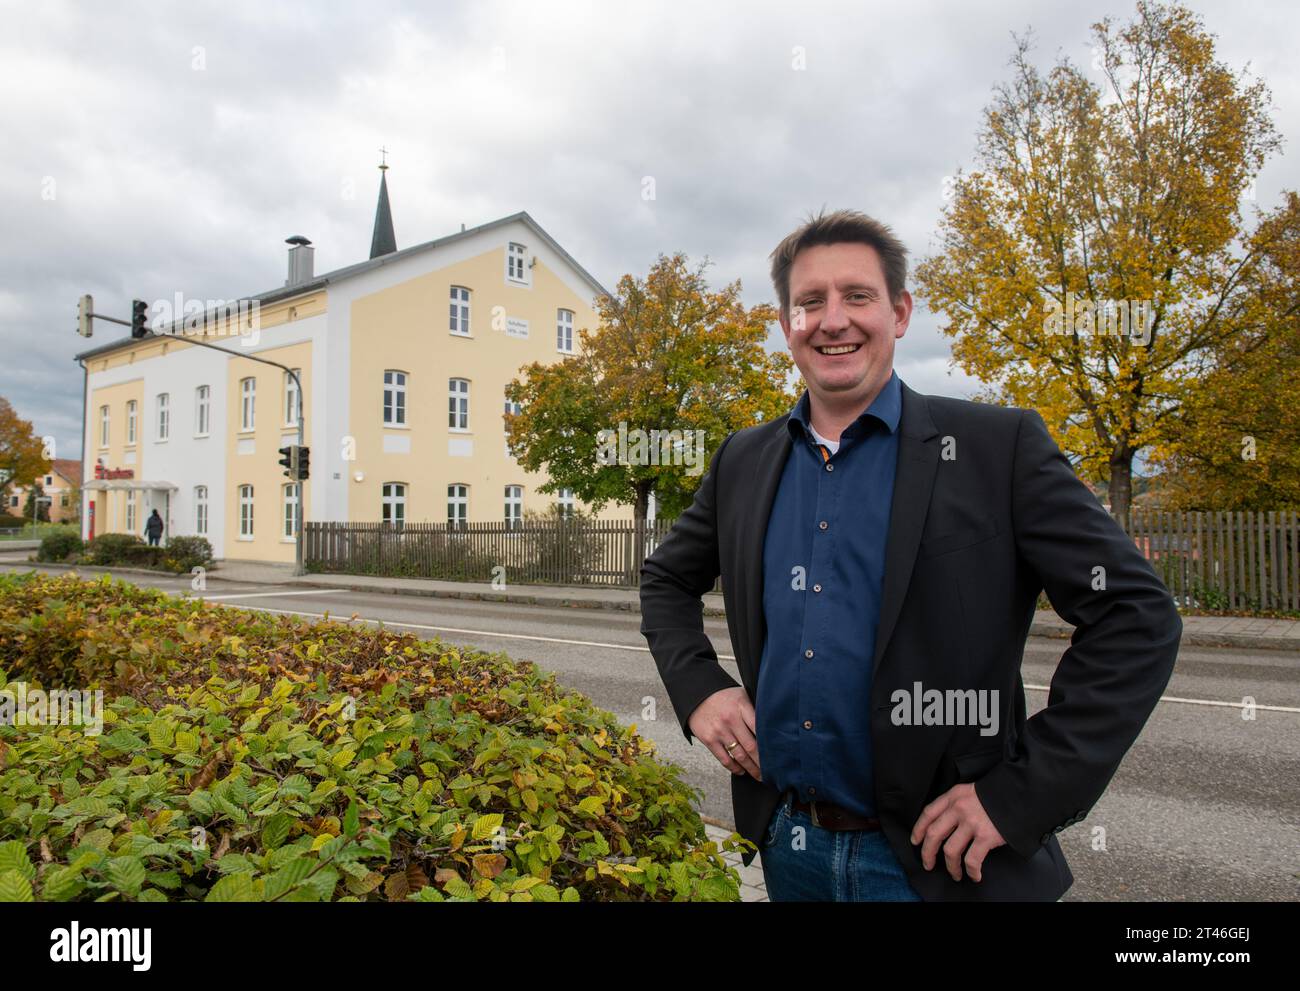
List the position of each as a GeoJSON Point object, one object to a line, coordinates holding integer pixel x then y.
{"type": "Point", "coordinates": [814, 864]}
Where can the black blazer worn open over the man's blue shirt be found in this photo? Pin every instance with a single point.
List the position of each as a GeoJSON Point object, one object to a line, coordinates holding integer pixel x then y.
{"type": "Point", "coordinates": [986, 514]}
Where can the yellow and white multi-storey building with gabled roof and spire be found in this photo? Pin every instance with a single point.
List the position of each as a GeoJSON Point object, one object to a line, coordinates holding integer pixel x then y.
{"type": "Point", "coordinates": [404, 362]}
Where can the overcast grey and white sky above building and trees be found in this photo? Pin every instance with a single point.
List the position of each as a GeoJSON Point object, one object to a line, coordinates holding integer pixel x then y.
{"type": "Point", "coordinates": [153, 149]}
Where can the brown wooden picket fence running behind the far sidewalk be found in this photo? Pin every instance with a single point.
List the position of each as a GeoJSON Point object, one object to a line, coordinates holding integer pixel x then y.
{"type": "Point", "coordinates": [1240, 561]}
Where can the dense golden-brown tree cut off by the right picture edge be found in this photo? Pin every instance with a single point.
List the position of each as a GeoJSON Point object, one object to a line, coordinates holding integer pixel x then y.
{"type": "Point", "coordinates": [1236, 443]}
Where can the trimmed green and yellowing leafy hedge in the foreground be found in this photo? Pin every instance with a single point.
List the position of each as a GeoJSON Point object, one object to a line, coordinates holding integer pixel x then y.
{"type": "Point", "coordinates": [254, 758]}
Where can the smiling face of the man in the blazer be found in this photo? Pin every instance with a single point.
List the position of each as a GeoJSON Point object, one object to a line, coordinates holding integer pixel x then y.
{"type": "Point", "coordinates": [839, 304]}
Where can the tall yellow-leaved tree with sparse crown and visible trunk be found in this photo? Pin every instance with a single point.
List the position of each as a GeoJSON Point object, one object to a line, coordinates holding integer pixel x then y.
{"type": "Point", "coordinates": [1097, 265]}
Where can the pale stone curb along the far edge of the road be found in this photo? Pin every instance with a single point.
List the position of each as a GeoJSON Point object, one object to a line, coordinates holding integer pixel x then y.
{"type": "Point", "coordinates": [1055, 631]}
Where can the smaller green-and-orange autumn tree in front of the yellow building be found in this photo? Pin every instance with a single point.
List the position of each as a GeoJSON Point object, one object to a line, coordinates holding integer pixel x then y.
{"type": "Point", "coordinates": [670, 357]}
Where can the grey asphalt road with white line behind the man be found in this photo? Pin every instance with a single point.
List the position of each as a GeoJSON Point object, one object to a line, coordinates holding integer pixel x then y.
{"type": "Point", "coordinates": [1206, 807]}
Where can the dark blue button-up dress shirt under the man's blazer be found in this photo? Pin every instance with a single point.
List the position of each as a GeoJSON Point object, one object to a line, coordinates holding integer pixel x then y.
{"type": "Point", "coordinates": [824, 572]}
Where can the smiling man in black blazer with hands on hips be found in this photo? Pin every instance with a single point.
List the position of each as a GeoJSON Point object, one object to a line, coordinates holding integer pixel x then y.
{"type": "Point", "coordinates": [882, 553]}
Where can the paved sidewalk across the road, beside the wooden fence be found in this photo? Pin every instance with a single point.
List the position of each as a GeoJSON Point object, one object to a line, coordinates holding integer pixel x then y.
{"type": "Point", "coordinates": [1245, 633]}
